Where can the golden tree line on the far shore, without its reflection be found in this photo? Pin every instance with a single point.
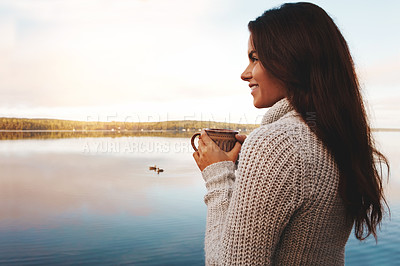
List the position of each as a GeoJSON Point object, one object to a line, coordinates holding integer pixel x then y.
{"type": "Point", "coordinates": [57, 124]}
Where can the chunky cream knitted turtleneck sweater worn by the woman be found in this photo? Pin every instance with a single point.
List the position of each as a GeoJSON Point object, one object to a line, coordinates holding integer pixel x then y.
{"type": "Point", "coordinates": [281, 206]}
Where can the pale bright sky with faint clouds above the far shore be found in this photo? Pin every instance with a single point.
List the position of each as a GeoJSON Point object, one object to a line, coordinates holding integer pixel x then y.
{"type": "Point", "coordinates": [157, 60]}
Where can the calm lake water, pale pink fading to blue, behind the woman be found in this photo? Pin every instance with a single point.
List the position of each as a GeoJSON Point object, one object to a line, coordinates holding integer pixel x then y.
{"type": "Point", "coordinates": [93, 200]}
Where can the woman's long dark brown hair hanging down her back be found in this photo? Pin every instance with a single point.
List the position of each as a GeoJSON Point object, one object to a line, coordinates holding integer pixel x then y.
{"type": "Point", "coordinates": [300, 45]}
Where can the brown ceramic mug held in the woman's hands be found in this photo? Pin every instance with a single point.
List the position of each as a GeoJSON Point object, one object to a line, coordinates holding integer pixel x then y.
{"type": "Point", "coordinates": [224, 138]}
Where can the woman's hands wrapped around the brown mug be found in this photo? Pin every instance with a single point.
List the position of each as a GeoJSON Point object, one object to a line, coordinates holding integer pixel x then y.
{"type": "Point", "coordinates": [209, 152]}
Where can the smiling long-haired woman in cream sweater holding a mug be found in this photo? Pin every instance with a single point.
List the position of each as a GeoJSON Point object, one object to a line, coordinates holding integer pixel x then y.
{"type": "Point", "coordinates": [308, 173]}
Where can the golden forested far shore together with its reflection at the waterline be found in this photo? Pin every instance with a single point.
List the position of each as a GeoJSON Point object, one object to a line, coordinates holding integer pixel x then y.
{"type": "Point", "coordinates": [24, 128]}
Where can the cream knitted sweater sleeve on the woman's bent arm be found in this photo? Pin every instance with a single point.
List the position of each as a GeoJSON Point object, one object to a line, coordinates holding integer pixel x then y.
{"type": "Point", "coordinates": [246, 218]}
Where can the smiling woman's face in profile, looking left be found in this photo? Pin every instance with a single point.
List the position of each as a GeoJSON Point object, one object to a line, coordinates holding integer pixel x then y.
{"type": "Point", "coordinates": [265, 88]}
